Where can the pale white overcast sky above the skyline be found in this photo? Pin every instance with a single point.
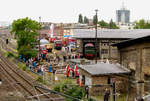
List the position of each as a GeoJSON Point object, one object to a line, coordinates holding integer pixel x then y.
{"type": "Point", "coordinates": [68, 10]}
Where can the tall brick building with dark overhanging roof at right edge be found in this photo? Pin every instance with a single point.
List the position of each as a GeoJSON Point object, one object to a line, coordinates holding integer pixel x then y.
{"type": "Point", "coordinates": [134, 54]}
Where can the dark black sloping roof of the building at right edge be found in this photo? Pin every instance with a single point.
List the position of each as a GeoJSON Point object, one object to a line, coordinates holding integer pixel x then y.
{"type": "Point", "coordinates": [132, 41]}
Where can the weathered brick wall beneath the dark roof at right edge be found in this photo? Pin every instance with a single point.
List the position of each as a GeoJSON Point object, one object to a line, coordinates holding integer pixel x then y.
{"type": "Point", "coordinates": [137, 57]}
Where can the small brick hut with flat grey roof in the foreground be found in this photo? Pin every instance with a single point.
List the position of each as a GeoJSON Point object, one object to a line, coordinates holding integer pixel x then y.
{"type": "Point", "coordinates": [95, 75]}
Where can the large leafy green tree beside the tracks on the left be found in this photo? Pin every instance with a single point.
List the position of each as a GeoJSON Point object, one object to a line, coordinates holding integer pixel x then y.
{"type": "Point", "coordinates": [26, 31]}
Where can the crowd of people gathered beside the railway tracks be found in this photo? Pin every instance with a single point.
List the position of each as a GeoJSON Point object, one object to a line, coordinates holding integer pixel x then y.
{"type": "Point", "coordinates": [33, 63]}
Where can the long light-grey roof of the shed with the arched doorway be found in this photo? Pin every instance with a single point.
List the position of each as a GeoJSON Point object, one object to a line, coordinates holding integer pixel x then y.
{"type": "Point", "coordinates": [111, 33]}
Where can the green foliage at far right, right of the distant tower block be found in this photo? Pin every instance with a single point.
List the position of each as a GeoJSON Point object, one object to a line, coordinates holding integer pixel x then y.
{"type": "Point", "coordinates": [142, 24]}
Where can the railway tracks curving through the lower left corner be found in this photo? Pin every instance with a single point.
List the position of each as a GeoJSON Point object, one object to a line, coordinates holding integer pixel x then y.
{"type": "Point", "coordinates": [24, 83]}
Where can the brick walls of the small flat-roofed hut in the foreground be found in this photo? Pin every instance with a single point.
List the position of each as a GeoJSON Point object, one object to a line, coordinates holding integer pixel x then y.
{"type": "Point", "coordinates": [102, 80]}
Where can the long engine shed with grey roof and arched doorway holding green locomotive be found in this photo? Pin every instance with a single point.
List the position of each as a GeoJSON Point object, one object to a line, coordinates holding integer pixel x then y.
{"type": "Point", "coordinates": [105, 38]}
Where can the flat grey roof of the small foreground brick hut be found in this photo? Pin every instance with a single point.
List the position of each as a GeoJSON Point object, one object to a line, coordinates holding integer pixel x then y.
{"type": "Point", "coordinates": [104, 69]}
